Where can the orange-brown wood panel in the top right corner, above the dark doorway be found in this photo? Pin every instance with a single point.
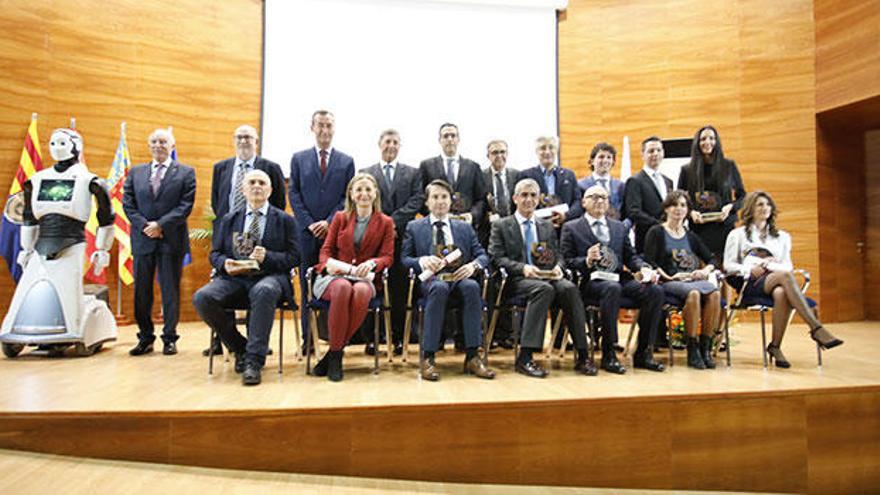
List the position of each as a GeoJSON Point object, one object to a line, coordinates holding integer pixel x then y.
{"type": "Point", "coordinates": [847, 51]}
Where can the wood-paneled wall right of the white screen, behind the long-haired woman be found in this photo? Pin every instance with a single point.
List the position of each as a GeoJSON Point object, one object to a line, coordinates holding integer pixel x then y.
{"type": "Point", "coordinates": [655, 67]}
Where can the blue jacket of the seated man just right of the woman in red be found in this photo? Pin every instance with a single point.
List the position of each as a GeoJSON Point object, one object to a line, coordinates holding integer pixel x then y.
{"type": "Point", "coordinates": [418, 242]}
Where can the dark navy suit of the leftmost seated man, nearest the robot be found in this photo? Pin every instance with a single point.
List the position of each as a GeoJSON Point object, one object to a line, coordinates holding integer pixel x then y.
{"type": "Point", "coordinates": [261, 291]}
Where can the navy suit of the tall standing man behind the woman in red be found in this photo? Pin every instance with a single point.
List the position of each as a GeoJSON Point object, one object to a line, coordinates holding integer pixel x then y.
{"type": "Point", "coordinates": [313, 198]}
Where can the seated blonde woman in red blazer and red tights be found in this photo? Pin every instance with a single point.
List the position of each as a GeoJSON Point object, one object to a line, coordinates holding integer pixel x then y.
{"type": "Point", "coordinates": [363, 237]}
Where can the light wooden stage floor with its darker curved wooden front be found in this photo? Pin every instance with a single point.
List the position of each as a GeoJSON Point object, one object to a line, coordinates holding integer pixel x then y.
{"type": "Point", "coordinates": [804, 429]}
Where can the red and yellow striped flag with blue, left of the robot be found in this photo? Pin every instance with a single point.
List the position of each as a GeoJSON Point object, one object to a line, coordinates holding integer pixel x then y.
{"type": "Point", "coordinates": [10, 232]}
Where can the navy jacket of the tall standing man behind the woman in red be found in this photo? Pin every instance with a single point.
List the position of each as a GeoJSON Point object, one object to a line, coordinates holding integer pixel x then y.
{"type": "Point", "coordinates": [313, 197]}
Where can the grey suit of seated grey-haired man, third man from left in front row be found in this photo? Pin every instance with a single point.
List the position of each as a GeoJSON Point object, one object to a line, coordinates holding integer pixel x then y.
{"type": "Point", "coordinates": [506, 248]}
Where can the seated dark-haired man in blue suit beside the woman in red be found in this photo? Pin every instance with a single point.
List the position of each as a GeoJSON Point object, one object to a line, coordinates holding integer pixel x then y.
{"type": "Point", "coordinates": [423, 239]}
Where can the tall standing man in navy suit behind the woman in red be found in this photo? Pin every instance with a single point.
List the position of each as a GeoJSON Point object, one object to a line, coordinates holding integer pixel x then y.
{"type": "Point", "coordinates": [318, 179]}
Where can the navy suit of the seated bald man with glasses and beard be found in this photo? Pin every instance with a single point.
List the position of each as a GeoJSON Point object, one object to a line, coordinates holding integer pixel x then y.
{"type": "Point", "coordinates": [577, 238]}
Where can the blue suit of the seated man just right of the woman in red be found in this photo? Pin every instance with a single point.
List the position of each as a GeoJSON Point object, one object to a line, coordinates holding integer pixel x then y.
{"type": "Point", "coordinates": [418, 242]}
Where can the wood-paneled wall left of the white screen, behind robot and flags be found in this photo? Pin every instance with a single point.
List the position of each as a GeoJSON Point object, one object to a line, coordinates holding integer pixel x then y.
{"type": "Point", "coordinates": [187, 64]}
